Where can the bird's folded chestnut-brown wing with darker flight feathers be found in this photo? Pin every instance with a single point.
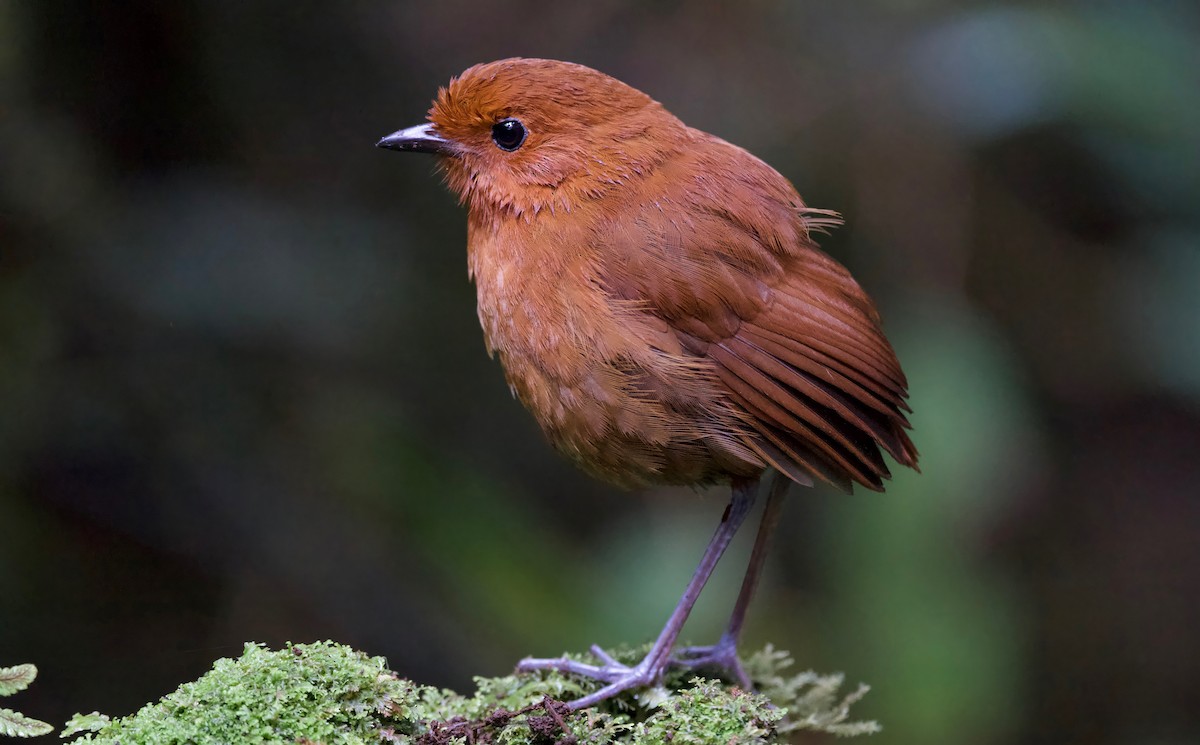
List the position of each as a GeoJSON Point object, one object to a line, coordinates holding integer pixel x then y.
{"type": "Point", "coordinates": [723, 255]}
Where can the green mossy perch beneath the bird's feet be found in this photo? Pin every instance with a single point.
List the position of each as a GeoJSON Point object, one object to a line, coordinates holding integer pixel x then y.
{"type": "Point", "coordinates": [327, 693]}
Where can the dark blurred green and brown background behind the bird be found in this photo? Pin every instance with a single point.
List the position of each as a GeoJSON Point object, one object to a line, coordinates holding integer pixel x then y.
{"type": "Point", "coordinates": [244, 394]}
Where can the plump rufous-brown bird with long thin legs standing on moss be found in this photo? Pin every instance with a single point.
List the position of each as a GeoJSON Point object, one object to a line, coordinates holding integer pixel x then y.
{"type": "Point", "coordinates": [657, 299]}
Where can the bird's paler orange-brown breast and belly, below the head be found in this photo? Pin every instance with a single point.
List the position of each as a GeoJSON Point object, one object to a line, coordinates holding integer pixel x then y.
{"type": "Point", "coordinates": [609, 386]}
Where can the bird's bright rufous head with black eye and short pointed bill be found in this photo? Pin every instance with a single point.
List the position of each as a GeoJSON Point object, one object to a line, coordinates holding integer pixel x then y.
{"type": "Point", "coordinates": [521, 136]}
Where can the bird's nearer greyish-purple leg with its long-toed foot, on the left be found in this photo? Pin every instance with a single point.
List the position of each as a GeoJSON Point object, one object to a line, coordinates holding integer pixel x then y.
{"type": "Point", "coordinates": [650, 671]}
